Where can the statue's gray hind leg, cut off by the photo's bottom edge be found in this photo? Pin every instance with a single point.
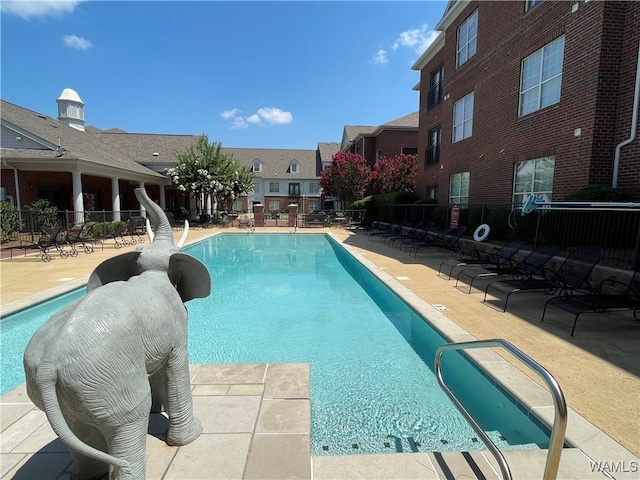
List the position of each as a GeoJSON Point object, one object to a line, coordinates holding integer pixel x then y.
{"type": "Point", "coordinates": [129, 442]}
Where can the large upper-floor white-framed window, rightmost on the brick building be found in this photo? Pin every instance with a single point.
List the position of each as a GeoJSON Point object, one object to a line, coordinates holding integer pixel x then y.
{"type": "Point", "coordinates": [541, 77]}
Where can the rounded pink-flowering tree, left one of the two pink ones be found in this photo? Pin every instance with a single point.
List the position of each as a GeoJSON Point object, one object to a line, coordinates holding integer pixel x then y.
{"type": "Point", "coordinates": [346, 177]}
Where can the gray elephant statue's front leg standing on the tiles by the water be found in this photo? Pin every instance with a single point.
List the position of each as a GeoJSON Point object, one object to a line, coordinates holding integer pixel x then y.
{"type": "Point", "coordinates": [184, 427]}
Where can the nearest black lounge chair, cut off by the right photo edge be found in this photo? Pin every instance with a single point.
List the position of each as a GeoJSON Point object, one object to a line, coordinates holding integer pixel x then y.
{"type": "Point", "coordinates": [625, 298]}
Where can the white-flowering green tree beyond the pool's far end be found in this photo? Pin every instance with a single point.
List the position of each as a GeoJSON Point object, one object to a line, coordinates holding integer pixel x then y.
{"type": "Point", "coordinates": [205, 172]}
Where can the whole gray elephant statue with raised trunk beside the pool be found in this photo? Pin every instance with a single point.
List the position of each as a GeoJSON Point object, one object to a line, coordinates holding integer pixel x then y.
{"type": "Point", "coordinates": [100, 365]}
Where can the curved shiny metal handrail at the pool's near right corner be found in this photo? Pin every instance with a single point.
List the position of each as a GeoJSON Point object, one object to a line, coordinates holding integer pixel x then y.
{"type": "Point", "coordinates": [559, 422]}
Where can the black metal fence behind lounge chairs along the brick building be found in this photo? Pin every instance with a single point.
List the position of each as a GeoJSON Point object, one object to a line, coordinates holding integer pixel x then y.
{"type": "Point", "coordinates": [612, 226]}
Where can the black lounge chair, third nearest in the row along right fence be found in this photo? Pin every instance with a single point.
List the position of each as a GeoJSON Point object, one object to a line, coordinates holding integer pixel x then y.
{"type": "Point", "coordinates": [530, 265]}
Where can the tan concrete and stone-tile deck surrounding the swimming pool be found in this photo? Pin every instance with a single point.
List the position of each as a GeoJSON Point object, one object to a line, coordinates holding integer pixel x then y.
{"type": "Point", "coordinates": [257, 424]}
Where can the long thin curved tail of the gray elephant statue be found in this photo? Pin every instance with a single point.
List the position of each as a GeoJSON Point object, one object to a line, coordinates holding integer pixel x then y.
{"type": "Point", "coordinates": [46, 380]}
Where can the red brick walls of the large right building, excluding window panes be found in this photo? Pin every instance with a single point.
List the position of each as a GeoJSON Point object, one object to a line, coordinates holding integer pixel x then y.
{"type": "Point", "coordinates": [581, 131]}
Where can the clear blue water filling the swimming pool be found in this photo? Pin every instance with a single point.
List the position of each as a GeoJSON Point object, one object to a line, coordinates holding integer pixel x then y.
{"type": "Point", "coordinates": [303, 298]}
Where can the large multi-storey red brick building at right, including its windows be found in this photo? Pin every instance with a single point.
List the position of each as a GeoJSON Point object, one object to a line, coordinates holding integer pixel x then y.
{"type": "Point", "coordinates": [526, 97]}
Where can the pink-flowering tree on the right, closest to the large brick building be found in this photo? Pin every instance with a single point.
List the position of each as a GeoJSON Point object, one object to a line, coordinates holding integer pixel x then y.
{"type": "Point", "coordinates": [397, 174]}
